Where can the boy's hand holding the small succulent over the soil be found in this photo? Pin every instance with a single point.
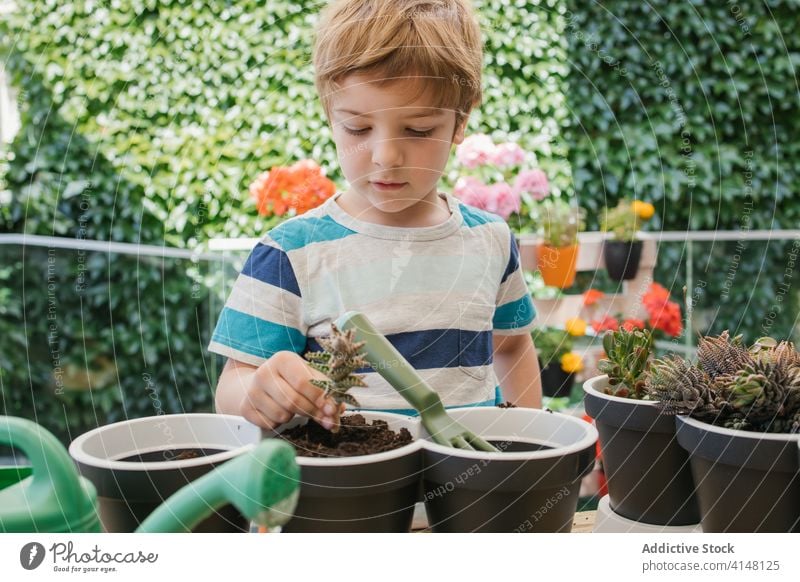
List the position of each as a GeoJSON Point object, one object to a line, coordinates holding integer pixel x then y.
{"type": "Point", "coordinates": [280, 388]}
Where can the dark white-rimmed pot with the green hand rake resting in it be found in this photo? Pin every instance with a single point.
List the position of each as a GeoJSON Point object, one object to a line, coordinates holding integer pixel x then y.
{"type": "Point", "coordinates": [532, 486]}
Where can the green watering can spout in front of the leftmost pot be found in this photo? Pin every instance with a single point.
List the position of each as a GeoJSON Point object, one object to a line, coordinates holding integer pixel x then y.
{"type": "Point", "coordinates": [263, 484]}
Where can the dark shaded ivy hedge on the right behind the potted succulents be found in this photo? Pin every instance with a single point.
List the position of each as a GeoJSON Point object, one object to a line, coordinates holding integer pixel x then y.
{"type": "Point", "coordinates": [694, 106]}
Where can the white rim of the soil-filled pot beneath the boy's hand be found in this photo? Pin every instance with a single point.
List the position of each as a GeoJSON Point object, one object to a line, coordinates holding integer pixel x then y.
{"type": "Point", "coordinates": [412, 423]}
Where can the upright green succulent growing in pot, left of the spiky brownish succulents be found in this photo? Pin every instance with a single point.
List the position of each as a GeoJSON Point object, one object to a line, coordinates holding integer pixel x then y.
{"type": "Point", "coordinates": [626, 361]}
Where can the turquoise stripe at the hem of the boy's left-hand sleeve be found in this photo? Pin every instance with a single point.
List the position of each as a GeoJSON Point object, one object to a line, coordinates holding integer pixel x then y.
{"type": "Point", "coordinates": [255, 336]}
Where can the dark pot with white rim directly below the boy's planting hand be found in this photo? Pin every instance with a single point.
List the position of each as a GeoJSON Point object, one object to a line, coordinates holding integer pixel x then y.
{"type": "Point", "coordinates": [369, 493]}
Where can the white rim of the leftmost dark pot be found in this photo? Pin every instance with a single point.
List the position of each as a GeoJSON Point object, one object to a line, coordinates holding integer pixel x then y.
{"type": "Point", "coordinates": [78, 452]}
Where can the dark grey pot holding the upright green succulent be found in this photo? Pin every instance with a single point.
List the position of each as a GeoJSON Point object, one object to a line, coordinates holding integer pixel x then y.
{"type": "Point", "coordinates": [648, 473]}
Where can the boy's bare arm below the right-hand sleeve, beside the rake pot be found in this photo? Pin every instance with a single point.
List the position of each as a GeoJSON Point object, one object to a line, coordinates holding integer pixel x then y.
{"type": "Point", "coordinates": [517, 369]}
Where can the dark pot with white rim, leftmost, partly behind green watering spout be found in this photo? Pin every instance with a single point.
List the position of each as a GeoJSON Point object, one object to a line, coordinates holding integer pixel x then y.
{"type": "Point", "coordinates": [128, 491]}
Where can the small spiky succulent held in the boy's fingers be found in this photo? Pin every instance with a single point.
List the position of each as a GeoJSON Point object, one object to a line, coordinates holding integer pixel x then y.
{"type": "Point", "coordinates": [340, 357]}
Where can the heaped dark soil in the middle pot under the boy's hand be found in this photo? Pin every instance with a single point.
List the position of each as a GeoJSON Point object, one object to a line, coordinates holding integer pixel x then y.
{"type": "Point", "coordinates": [355, 437]}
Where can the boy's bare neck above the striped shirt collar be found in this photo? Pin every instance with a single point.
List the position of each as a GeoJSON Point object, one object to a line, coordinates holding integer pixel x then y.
{"type": "Point", "coordinates": [429, 211]}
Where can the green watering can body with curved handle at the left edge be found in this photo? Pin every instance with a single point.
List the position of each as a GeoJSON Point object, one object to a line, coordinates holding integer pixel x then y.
{"type": "Point", "coordinates": [54, 498]}
